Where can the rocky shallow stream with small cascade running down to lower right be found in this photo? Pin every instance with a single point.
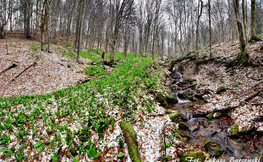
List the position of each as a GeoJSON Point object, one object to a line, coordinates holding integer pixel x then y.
{"type": "Point", "coordinates": [245, 146]}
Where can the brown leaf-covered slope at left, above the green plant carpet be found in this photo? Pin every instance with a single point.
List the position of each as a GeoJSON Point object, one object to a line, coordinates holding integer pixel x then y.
{"type": "Point", "coordinates": [51, 72]}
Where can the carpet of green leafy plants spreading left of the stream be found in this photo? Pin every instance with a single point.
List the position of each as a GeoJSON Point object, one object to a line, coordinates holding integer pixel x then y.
{"type": "Point", "coordinates": [47, 120]}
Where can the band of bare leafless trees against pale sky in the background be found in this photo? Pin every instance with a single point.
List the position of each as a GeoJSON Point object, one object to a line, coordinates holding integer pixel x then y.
{"type": "Point", "coordinates": [168, 28]}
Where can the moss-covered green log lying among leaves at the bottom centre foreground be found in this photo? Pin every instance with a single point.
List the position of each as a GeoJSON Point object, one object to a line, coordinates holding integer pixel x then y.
{"type": "Point", "coordinates": [130, 138]}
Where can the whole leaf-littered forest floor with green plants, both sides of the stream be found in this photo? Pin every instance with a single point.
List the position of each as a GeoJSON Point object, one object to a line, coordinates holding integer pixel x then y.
{"type": "Point", "coordinates": [46, 114]}
